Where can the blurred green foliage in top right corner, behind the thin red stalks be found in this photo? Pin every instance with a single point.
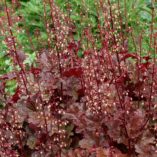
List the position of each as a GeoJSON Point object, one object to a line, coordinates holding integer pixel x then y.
{"type": "Point", "coordinates": [138, 17]}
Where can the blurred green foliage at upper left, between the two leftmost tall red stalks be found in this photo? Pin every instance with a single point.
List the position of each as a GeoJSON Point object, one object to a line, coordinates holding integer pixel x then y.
{"type": "Point", "coordinates": [32, 22]}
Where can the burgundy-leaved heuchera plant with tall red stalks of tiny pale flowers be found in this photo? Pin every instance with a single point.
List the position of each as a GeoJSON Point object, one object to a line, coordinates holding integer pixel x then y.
{"type": "Point", "coordinates": [102, 104]}
